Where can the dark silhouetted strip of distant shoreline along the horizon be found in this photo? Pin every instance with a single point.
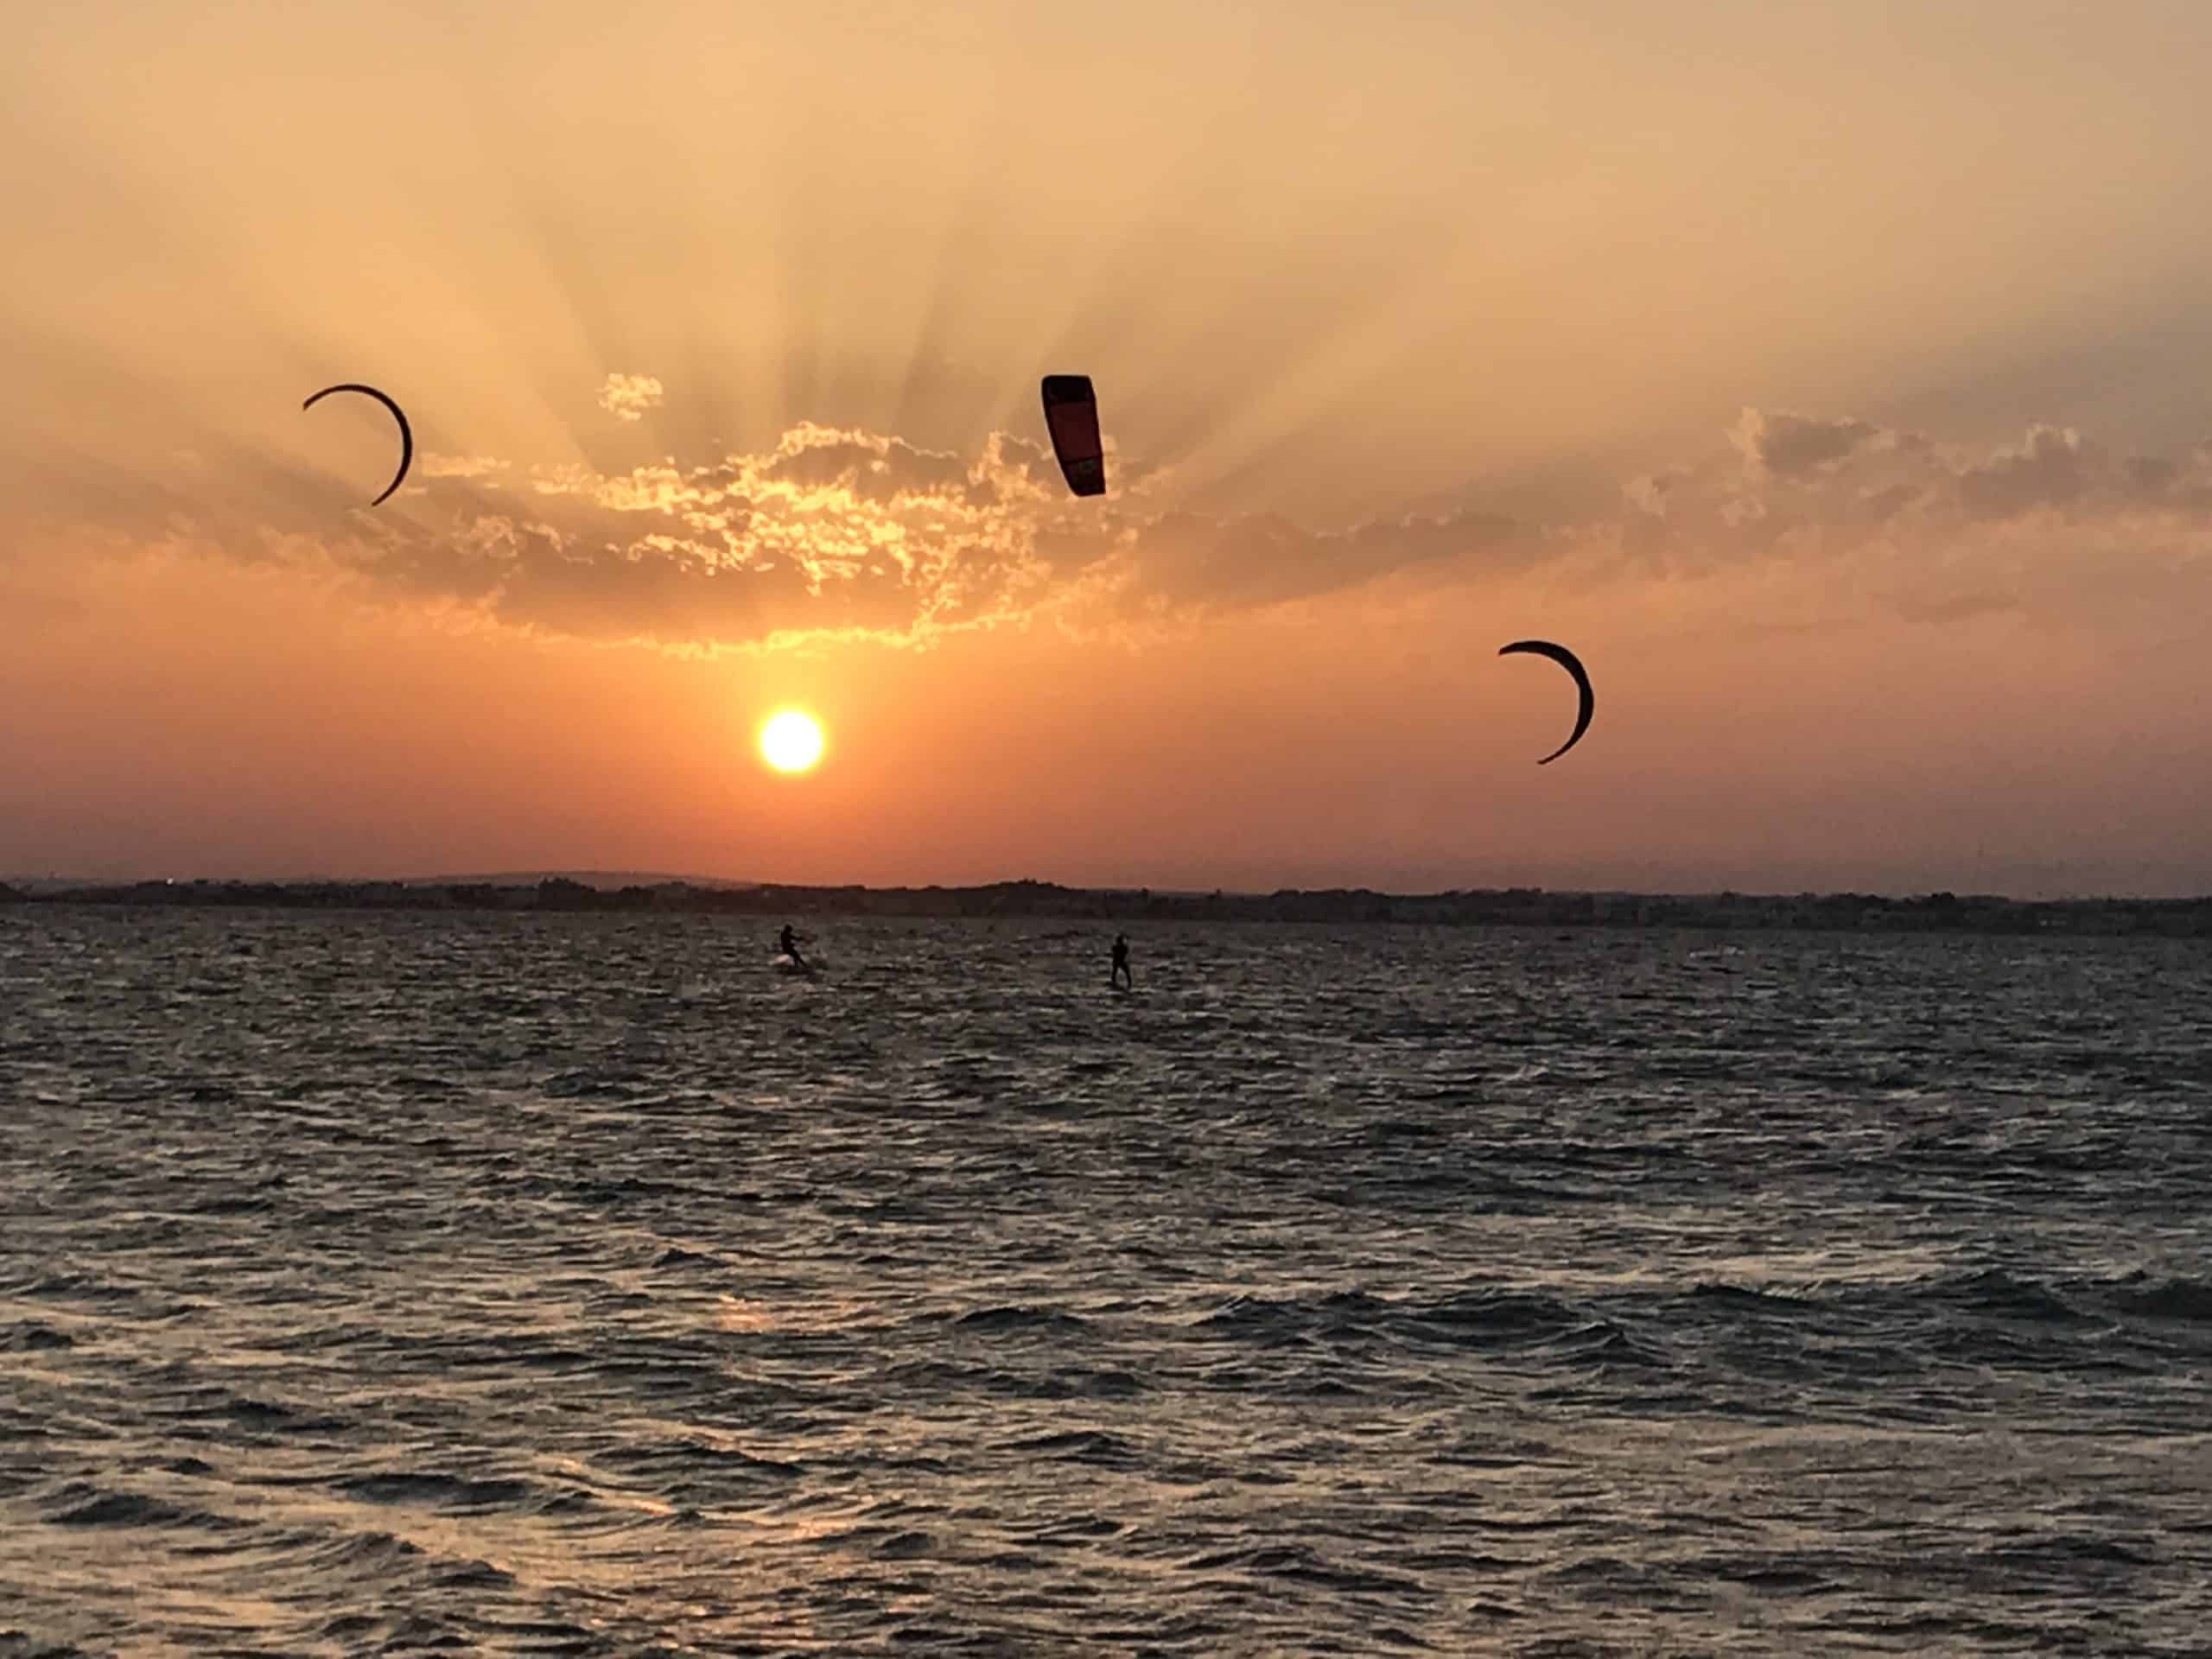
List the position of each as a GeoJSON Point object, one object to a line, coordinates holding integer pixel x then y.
{"type": "Point", "coordinates": [1036, 899]}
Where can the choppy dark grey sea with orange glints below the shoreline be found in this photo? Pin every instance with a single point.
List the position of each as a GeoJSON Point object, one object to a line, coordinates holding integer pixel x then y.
{"type": "Point", "coordinates": [581, 1286]}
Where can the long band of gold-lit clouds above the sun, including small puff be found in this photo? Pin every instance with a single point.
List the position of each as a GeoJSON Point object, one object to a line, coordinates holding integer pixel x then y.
{"type": "Point", "coordinates": [842, 532]}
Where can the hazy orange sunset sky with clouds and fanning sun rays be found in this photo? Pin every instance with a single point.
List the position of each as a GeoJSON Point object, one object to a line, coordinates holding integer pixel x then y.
{"type": "Point", "coordinates": [1833, 377]}
